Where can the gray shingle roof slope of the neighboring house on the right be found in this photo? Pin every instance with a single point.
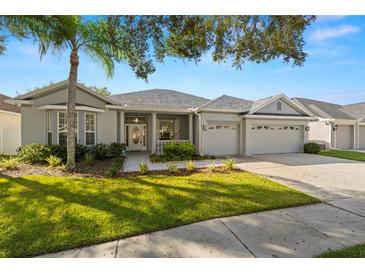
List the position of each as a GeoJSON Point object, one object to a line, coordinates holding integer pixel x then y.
{"type": "Point", "coordinates": [325, 109]}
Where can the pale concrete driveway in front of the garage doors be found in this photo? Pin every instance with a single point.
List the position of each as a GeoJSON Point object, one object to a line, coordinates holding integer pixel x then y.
{"type": "Point", "coordinates": [327, 178]}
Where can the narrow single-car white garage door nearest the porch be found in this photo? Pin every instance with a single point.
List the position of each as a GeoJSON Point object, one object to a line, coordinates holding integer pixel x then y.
{"type": "Point", "coordinates": [223, 139]}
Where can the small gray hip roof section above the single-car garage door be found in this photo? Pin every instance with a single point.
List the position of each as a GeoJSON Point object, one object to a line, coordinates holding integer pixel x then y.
{"type": "Point", "coordinates": [226, 102]}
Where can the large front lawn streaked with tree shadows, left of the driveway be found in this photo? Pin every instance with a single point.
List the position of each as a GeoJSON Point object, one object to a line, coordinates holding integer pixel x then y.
{"type": "Point", "coordinates": [43, 214]}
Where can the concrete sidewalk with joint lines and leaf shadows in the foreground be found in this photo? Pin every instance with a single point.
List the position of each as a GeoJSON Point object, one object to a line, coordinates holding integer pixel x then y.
{"type": "Point", "coordinates": [293, 232]}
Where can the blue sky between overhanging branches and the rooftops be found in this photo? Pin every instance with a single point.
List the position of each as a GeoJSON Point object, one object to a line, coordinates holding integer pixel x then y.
{"type": "Point", "coordinates": [334, 70]}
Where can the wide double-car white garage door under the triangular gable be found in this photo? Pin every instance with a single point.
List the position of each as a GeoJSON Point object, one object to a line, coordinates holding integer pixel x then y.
{"type": "Point", "coordinates": [276, 139]}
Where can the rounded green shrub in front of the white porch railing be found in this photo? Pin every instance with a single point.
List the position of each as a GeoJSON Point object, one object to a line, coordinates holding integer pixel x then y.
{"type": "Point", "coordinates": [179, 152]}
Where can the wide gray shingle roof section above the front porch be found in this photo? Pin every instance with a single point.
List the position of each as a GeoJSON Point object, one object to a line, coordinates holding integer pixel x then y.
{"type": "Point", "coordinates": [160, 97]}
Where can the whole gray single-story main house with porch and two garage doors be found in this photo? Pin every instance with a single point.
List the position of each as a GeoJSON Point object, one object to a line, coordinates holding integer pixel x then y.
{"type": "Point", "coordinates": [145, 120]}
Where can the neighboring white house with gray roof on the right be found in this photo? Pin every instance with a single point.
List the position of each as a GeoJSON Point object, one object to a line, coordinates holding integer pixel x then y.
{"type": "Point", "coordinates": [339, 126]}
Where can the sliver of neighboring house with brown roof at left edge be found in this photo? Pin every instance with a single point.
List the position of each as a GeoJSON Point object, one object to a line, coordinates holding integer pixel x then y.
{"type": "Point", "coordinates": [9, 127]}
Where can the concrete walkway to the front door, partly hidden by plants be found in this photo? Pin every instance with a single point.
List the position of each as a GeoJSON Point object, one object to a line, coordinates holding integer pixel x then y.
{"type": "Point", "coordinates": [134, 158]}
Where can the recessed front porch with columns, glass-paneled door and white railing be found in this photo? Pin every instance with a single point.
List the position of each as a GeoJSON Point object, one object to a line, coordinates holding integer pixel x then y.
{"type": "Point", "coordinates": [144, 131]}
